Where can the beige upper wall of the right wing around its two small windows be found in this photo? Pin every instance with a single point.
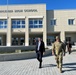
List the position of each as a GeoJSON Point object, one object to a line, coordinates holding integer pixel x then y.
{"type": "Point", "coordinates": [61, 17]}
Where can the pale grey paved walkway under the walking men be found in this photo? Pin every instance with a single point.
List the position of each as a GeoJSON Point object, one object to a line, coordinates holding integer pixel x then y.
{"type": "Point", "coordinates": [30, 66]}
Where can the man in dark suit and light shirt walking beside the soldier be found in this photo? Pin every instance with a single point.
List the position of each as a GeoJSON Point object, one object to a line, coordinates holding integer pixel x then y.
{"type": "Point", "coordinates": [40, 48]}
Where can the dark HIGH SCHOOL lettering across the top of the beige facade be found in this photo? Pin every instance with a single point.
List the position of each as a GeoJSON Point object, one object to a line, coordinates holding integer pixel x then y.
{"type": "Point", "coordinates": [18, 11]}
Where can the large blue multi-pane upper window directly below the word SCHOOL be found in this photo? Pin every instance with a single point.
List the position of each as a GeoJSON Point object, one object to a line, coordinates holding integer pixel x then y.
{"type": "Point", "coordinates": [35, 23]}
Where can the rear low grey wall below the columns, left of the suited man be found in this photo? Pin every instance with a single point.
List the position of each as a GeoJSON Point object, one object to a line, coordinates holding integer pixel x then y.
{"type": "Point", "coordinates": [13, 48]}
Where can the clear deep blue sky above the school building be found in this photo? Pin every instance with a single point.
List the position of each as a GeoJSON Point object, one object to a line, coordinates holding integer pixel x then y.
{"type": "Point", "coordinates": [50, 4]}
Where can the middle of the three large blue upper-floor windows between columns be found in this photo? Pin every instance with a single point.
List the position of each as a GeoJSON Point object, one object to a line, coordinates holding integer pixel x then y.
{"type": "Point", "coordinates": [18, 23]}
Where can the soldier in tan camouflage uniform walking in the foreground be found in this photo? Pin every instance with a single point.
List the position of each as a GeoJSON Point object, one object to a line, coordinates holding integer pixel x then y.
{"type": "Point", "coordinates": [57, 50]}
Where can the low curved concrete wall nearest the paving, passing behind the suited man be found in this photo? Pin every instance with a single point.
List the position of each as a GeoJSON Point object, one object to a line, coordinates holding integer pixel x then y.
{"type": "Point", "coordinates": [20, 56]}
